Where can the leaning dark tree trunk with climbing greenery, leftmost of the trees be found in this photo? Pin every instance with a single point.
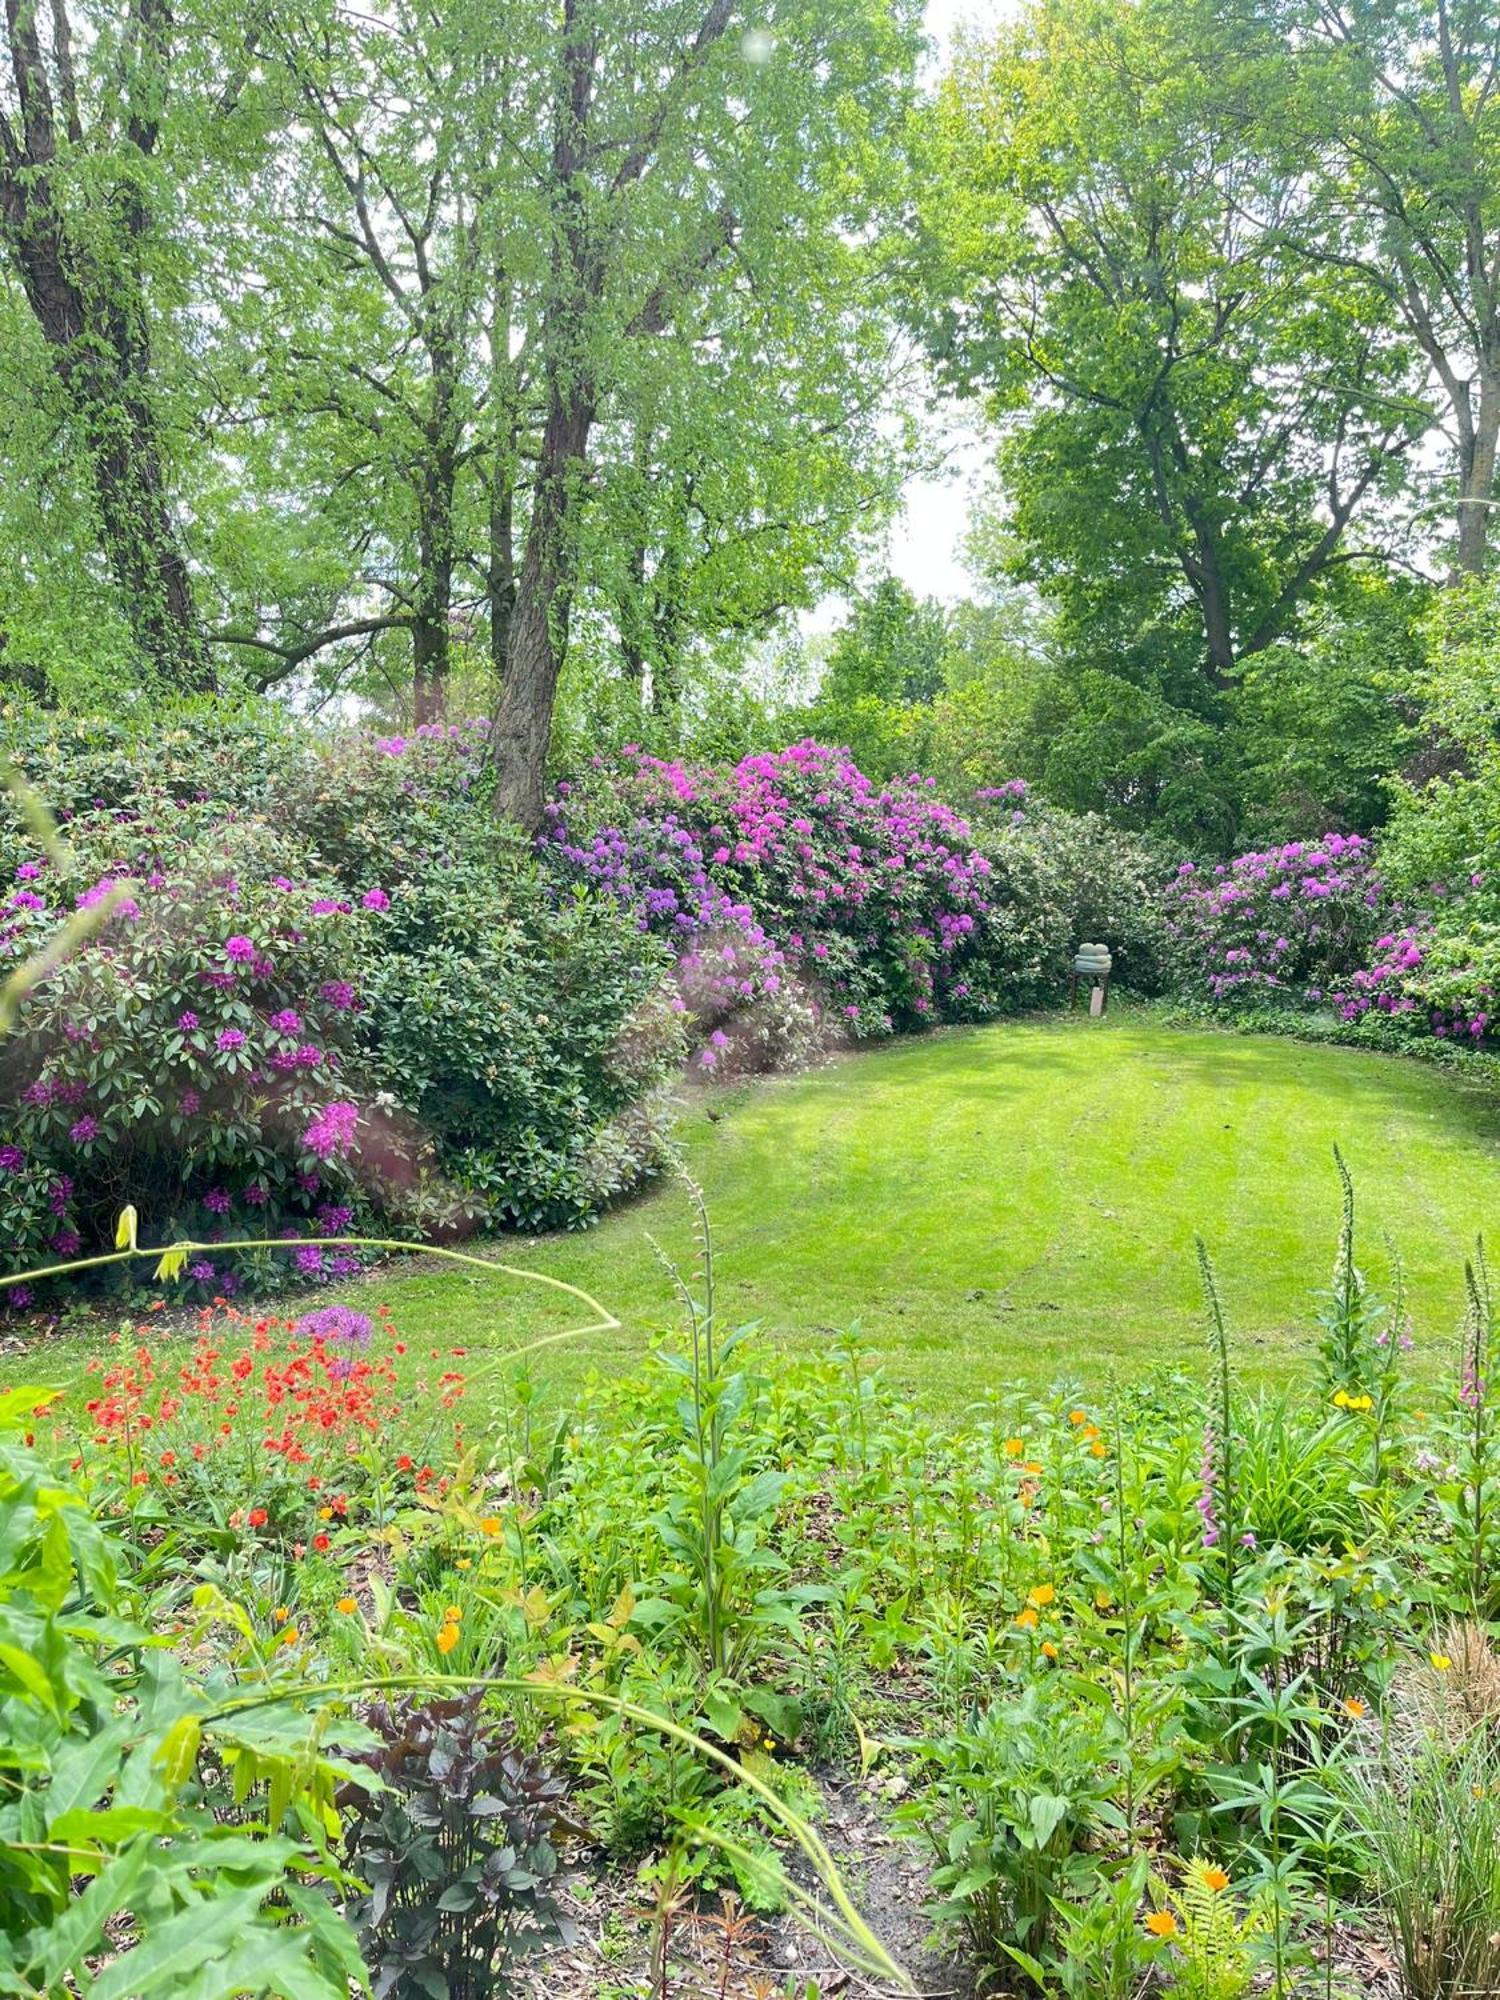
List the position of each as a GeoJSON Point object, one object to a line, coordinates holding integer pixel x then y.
{"type": "Point", "coordinates": [79, 187]}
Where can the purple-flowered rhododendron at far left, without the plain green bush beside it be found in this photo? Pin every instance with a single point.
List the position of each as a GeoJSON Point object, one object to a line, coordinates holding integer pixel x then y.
{"type": "Point", "coordinates": [199, 1055]}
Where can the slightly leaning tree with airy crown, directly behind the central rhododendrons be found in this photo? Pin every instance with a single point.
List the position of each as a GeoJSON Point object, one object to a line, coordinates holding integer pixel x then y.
{"type": "Point", "coordinates": [703, 163]}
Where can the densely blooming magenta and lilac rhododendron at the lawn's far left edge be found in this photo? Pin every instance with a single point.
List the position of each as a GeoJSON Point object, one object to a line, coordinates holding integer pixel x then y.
{"type": "Point", "coordinates": [787, 867]}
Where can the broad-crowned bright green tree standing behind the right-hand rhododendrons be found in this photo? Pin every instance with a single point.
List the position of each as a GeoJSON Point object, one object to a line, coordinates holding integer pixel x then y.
{"type": "Point", "coordinates": [1195, 421]}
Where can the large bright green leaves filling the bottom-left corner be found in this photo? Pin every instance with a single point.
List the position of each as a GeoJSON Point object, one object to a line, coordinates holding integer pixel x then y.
{"type": "Point", "coordinates": [109, 1763]}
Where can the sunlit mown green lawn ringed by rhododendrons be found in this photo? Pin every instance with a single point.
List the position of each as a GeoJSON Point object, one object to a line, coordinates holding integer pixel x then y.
{"type": "Point", "coordinates": [1019, 1203]}
